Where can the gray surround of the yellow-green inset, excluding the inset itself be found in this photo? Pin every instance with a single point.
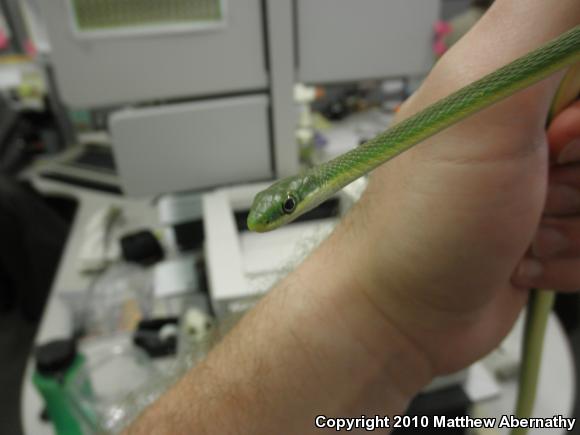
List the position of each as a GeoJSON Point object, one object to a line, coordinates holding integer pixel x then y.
{"type": "Point", "coordinates": [115, 70]}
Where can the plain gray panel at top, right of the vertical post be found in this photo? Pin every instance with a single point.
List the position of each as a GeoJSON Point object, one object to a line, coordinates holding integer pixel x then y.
{"type": "Point", "coordinates": [344, 40]}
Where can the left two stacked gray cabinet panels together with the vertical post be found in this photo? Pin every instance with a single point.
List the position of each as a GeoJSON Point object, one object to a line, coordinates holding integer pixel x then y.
{"type": "Point", "coordinates": [169, 56]}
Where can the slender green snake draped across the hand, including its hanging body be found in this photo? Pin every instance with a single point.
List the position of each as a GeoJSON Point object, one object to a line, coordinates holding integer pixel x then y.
{"type": "Point", "coordinates": [291, 197]}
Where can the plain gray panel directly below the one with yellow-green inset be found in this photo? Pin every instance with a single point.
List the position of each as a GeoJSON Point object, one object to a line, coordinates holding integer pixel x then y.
{"type": "Point", "coordinates": [191, 146]}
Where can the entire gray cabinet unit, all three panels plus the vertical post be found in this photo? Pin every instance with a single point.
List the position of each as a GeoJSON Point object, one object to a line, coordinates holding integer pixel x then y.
{"type": "Point", "coordinates": [151, 60]}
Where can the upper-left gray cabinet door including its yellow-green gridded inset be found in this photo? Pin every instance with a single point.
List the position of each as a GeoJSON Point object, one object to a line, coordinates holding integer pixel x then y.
{"type": "Point", "coordinates": [123, 55]}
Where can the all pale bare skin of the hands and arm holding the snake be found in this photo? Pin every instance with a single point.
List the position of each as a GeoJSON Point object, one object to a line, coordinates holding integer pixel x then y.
{"type": "Point", "coordinates": [425, 275]}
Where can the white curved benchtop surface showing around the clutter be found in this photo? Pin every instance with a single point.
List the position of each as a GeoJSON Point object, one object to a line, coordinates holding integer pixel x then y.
{"type": "Point", "coordinates": [557, 380]}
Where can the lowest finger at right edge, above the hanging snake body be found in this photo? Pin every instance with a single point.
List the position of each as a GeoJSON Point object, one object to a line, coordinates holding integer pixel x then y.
{"type": "Point", "coordinates": [559, 274]}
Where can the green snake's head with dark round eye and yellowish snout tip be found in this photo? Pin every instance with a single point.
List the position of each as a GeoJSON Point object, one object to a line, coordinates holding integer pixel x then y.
{"type": "Point", "coordinates": [281, 203]}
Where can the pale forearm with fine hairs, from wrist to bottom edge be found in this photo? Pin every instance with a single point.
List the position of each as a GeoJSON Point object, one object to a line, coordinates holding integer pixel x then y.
{"type": "Point", "coordinates": [315, 345]}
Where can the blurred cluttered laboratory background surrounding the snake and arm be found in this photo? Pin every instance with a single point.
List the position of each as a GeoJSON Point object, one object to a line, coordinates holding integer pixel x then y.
{"type": "Point", "coordinates": [133, 137]}
